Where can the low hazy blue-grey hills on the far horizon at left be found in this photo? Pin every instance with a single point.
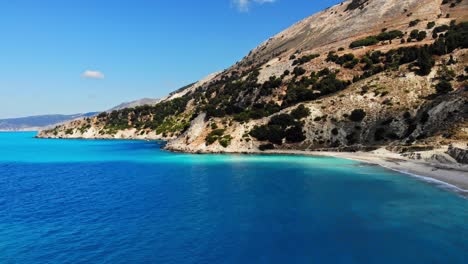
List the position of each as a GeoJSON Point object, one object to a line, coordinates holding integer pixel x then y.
{"type": "Point", "coordinates": [32, 123]}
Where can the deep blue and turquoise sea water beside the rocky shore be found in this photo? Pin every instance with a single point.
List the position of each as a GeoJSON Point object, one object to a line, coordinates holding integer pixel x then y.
{"type": "Point", "coordinates": [129, 202]}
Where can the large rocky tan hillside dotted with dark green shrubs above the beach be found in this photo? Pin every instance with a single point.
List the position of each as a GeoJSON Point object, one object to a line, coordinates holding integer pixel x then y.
{"type": "Point", "coordinates": [361, 75]}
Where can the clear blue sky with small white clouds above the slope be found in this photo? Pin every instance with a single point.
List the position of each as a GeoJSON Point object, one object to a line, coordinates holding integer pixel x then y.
{"type": "Point", "coordinates": [66, 57]}
